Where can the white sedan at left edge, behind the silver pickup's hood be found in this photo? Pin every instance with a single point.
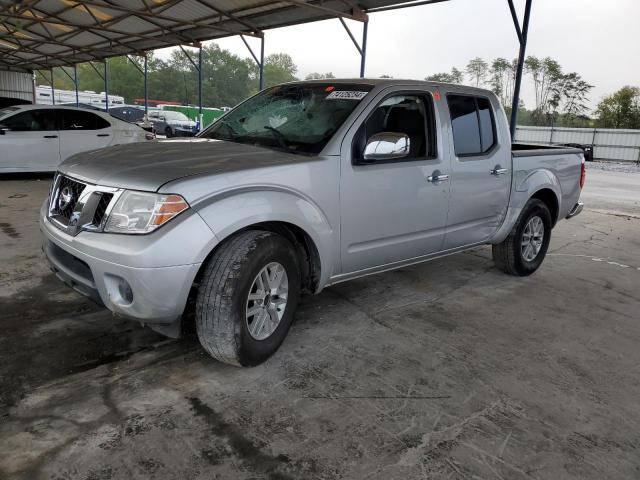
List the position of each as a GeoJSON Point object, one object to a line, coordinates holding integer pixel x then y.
{"type": "Point", "coordinates": [37, 138]}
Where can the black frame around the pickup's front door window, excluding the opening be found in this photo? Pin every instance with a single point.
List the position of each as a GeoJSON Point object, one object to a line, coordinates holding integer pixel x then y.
{"type": "Point", "coordinates": [429, 125]}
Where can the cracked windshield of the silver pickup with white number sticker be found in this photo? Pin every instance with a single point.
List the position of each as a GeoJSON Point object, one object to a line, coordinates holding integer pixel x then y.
{"type": "Point", "coordinates": [296, 118]}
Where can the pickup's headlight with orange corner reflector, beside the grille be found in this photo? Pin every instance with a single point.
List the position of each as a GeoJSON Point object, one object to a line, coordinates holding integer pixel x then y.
{"type": "Point", "coordinates": [142, 212]}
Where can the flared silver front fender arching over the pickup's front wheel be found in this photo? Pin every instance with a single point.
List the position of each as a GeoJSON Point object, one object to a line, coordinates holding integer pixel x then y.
{"type": "Point", "coordinates": [230, 211]}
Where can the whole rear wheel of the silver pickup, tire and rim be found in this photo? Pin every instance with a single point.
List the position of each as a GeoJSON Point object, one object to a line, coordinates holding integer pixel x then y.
{"type": "Point", "coordinates": [523, 251]}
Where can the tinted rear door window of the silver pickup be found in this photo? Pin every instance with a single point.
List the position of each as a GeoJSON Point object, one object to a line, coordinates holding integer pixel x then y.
{"type": "Point", "coordinates": [472, 124]}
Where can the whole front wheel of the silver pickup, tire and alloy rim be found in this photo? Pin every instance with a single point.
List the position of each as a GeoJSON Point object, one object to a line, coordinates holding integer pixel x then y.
{"type": "Point", "coordinates": [247, 297]}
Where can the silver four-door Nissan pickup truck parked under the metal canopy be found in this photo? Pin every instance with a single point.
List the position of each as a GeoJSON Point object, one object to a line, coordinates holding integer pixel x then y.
{"type": "Point", "coordinates": [302, 186]}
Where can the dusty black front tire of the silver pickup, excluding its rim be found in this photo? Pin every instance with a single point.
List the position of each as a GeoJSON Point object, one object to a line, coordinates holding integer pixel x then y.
{"type": "Point", "coordinates": [221, 304]}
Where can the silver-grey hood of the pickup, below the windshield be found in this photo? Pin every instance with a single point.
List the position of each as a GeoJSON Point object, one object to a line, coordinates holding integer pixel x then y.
{"type": "Point", "coordinates": [149, 165]}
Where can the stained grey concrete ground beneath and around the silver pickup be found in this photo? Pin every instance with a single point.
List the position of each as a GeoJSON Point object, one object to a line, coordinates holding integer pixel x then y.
{"type": "Point", "coordinates": [449, 369]}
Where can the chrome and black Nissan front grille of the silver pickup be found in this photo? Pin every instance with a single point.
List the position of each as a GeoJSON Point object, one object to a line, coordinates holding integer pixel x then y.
{"type": "Point", "coordinates": [75, 206]}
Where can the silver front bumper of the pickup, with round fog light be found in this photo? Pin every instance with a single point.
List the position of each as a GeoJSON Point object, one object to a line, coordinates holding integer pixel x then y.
{"type": "Point", "coordinates": [148, 293]}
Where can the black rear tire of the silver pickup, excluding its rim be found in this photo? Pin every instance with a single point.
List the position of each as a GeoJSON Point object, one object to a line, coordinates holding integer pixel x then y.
{"type": "Point", "coordinates": [508, 255]}
